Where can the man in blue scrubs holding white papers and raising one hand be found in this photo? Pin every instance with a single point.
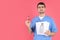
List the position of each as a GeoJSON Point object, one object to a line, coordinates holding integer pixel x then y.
{"type": "Point", "coordinates": [42, 33]}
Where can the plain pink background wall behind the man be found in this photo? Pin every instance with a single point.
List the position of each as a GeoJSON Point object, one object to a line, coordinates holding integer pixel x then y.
{"type": "Point", "coordinates": [13, 14]}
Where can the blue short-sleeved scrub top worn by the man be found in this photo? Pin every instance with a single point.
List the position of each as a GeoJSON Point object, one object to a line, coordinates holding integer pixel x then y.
{"type": "Point", "coordinates": [52, 27]}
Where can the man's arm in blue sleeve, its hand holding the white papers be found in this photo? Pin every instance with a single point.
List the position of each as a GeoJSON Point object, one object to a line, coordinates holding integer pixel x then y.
{"type": "Point", "coordinates": [53, 30]}
